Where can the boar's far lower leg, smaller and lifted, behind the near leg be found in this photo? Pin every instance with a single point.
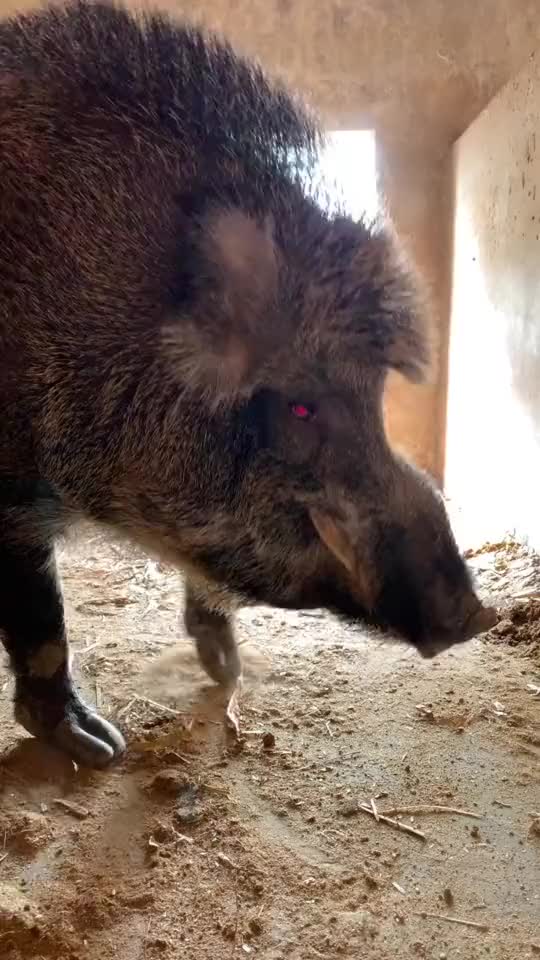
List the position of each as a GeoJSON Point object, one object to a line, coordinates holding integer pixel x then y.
{"type": "Point", "coordinates": [214, 638]}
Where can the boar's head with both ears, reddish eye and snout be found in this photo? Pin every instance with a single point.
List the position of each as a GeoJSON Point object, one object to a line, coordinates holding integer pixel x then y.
{"type": "Point", "coordinates": [297, 319]}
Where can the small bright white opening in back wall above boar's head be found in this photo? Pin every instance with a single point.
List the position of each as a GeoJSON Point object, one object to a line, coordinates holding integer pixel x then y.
{"type": "Point", "coordinates": [349, 163]}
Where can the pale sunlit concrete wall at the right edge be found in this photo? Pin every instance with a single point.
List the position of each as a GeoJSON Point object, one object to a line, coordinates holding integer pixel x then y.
{"type": "Point", "coordinates": [493, 452]}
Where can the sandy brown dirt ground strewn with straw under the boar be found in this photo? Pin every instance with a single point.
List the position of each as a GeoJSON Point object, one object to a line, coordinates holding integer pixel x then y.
{"type": "Point", "coordinates": [199, 847]}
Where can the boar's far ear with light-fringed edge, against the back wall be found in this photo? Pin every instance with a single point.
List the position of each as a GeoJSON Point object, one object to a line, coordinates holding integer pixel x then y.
{"type": "Point", "coordinates": [393, 323]}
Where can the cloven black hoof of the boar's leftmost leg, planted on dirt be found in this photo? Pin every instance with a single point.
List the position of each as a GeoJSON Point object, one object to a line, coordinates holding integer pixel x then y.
{"type": "Point", "coordinates": [86, 737]}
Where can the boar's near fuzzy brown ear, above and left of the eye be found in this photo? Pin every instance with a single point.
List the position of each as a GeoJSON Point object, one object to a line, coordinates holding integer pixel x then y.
{"type": "Point", "coordinates": [220, 348]}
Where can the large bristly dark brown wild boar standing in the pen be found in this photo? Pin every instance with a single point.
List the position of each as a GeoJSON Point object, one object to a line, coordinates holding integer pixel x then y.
{"type": "Point", "coordinates": [193, 351]}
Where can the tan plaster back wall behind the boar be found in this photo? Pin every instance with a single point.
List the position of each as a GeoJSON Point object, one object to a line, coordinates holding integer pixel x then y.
{"type": "Point", "coordinates": [416, 71]}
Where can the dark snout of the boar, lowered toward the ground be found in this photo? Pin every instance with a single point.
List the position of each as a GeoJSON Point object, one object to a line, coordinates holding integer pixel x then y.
{"type": "Point", "coordinates": [406, 576]}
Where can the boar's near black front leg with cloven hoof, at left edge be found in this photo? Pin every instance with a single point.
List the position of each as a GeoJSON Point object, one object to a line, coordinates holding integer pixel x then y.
{"type": "Point", "coordinates": [33, 632]}
